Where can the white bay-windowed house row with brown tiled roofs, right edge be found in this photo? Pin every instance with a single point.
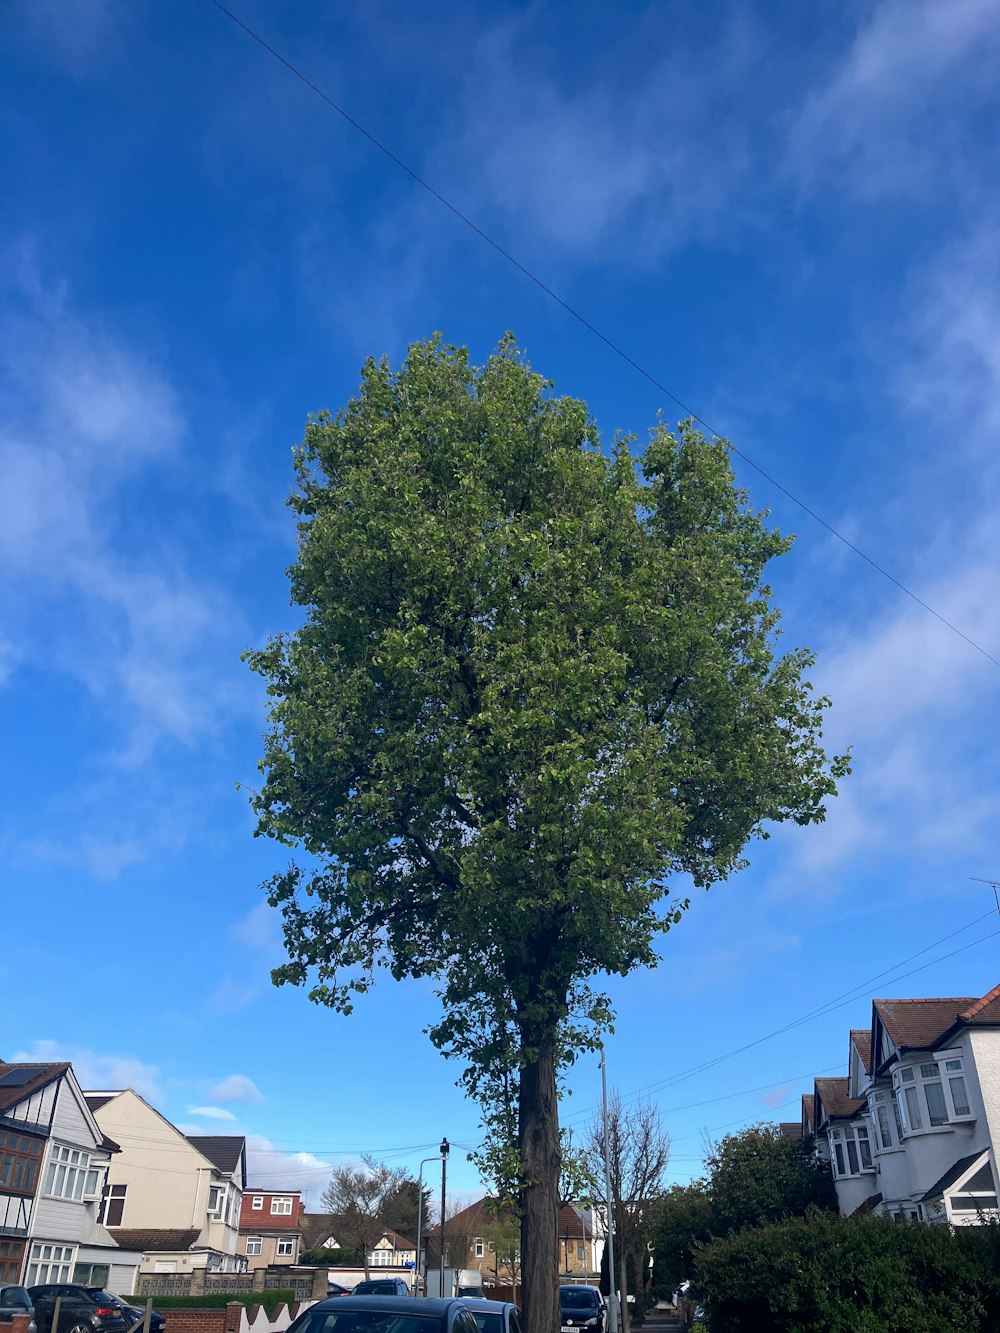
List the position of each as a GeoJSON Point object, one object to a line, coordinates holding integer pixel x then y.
{"type": "Point", "coordinates": [914, 1128]}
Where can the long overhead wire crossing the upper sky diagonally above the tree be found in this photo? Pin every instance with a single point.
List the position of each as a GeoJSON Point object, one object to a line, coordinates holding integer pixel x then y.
{"type": "Point", "coordinates": [593, 329]}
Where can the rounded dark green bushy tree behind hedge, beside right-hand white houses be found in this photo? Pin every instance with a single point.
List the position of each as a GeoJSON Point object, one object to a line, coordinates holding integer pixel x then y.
{"type": "Point", "coordinates": [761, 1176]}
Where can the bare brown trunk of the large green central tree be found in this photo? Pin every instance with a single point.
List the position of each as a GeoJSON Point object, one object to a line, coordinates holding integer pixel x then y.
{"type": "Point", "coordinates": [538, 1132]}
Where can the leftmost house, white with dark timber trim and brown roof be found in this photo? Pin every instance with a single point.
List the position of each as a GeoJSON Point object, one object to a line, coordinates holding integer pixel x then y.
{"type": "Point", "coordinates": [54, 1166]}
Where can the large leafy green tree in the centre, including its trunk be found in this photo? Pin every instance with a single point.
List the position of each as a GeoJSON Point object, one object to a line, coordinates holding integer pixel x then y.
{"type": "Point", "coordinates": [534, 682]}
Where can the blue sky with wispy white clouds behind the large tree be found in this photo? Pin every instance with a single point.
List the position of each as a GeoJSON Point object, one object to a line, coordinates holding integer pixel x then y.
{"type": "Point", "coordinates": [787, 214]}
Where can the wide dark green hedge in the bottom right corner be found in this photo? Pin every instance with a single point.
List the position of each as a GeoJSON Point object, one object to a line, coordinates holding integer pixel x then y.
{"type": "Point", "coordinates": [851, 1276]}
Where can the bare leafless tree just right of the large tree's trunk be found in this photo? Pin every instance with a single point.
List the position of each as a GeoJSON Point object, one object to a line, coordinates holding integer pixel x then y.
{"type": "Point", "coordinates": [639, 1150]}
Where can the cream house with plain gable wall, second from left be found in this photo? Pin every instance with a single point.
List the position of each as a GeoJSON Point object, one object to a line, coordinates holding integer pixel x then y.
{"type": "Point", "coordinates": [173, 1196]}
